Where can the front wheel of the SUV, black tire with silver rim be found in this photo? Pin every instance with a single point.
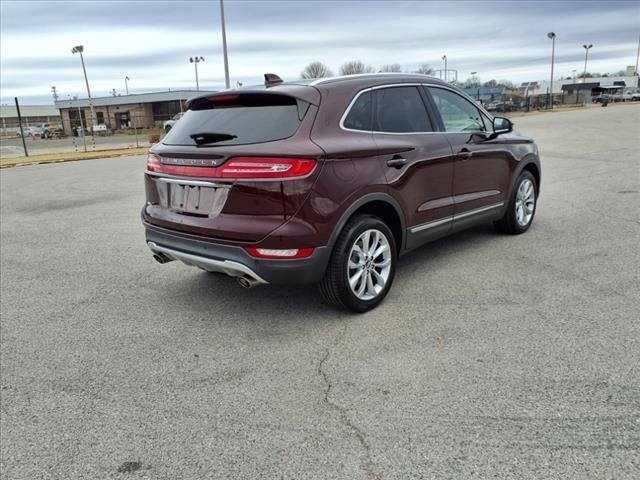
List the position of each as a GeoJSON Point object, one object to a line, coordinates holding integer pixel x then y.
{"type": "Point", "coordinates": [522, 206]}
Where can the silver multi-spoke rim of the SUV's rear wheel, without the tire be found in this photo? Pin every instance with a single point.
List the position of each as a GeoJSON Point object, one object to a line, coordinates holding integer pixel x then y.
{"type": "Point", "coordinates": [369, 264]}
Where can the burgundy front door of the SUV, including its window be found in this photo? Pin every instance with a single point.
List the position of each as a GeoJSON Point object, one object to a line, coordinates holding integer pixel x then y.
{"type": "Point", "coordinates": [482, 165]}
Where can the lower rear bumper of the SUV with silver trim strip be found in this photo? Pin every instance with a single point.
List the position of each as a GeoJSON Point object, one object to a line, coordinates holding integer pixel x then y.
{"type": "Point", "coordinates": [234, 260]}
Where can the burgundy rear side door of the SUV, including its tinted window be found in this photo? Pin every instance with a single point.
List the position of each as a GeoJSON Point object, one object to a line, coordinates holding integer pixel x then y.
{"type": "Point", "coordinates": [418, 162]}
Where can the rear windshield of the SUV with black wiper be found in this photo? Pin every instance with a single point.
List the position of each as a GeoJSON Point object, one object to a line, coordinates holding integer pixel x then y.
{"type": "Point", "coordinates": [238, 119]}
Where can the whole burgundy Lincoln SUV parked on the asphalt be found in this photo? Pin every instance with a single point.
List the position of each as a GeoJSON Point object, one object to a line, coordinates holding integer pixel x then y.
{"type": "Point", "coordinates": [331, 180]}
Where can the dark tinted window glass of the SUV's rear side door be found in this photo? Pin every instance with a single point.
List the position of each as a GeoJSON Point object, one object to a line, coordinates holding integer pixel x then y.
{"type": "Point", "coordinates": [400, 110]}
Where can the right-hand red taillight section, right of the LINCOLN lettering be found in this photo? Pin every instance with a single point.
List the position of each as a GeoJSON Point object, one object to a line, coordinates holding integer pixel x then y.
{"type": "Point", "coordinates": [266, 167]}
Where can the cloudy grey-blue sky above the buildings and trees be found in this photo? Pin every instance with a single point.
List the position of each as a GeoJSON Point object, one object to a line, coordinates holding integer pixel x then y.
{"type": "Point", "coordinates": [151, 41]}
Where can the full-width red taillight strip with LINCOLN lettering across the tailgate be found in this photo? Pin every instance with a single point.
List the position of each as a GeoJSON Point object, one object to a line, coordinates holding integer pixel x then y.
{"type": "Point", "coordinates": [239, 167]}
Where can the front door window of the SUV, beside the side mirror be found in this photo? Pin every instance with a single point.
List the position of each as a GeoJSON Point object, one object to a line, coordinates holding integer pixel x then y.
{"type": "Point", "coordinates": [458, 114]}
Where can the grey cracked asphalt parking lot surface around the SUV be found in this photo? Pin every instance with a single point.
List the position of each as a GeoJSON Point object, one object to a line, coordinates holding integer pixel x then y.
{"type": "Point", "coordinates": [492, 357]}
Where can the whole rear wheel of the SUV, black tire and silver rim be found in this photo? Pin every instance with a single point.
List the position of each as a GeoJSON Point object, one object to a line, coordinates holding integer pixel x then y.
{"type": "Point", "coordinates": [360, 232]}
